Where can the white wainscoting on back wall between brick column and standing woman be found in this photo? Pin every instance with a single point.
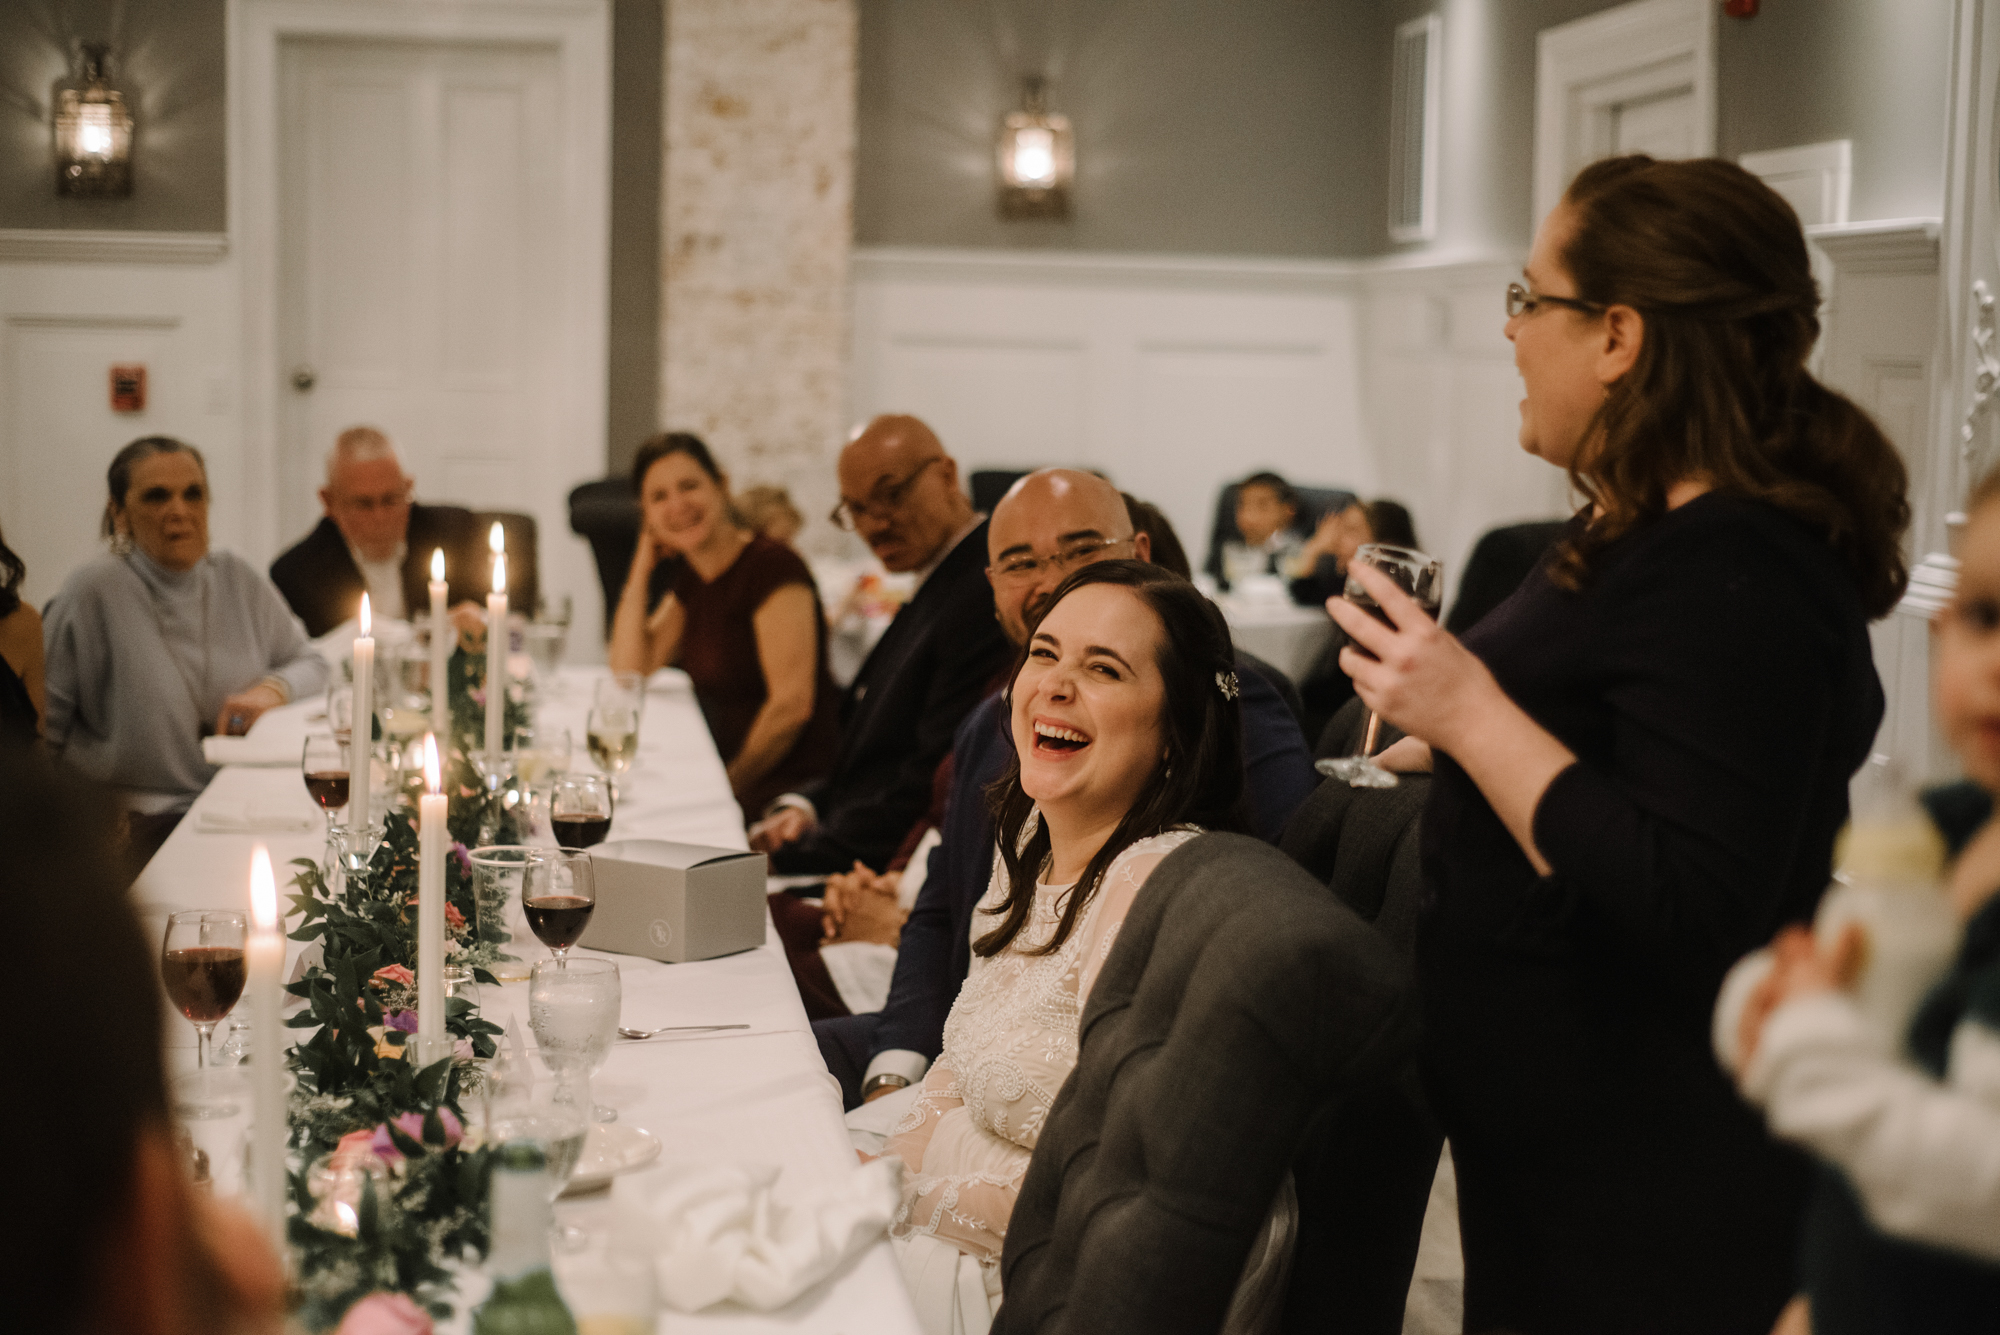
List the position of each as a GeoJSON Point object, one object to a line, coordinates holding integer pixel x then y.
{"type": "Point", "coordinates": [1177, 377]}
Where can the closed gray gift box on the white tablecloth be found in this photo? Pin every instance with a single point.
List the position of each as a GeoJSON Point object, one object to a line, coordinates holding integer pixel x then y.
{"type": "Point", "coordinates": [675, 902]}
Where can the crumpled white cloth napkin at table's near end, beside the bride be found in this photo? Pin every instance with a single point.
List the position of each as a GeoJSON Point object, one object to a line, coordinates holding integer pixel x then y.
{"type": "Point", "coordinates": [725, 1234]}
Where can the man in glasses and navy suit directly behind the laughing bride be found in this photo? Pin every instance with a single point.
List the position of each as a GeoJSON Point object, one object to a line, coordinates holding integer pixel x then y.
{"type": "Point", "coordinates": [1047, 527]}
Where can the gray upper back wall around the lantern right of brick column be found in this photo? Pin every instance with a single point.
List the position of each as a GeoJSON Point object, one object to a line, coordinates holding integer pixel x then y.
{"type": "Point", "coordinates": [1201, 125]}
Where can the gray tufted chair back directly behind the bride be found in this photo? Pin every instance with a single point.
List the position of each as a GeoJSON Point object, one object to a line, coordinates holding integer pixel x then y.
{"type": "Point", "coordinates": [1239, 1002]}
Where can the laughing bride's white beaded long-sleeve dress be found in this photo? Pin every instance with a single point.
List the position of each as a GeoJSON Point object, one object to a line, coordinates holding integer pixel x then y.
{"type": "Point", "coordinates": [1009, 1046]}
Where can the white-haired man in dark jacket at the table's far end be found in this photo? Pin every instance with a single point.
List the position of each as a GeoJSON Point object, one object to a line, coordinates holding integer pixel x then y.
{"type": "Point", "coordinates": [377, 541]}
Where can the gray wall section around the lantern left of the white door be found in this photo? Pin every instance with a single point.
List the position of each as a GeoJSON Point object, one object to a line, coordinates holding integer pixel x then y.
{"type": "Point", "coordinates": [167, 57]}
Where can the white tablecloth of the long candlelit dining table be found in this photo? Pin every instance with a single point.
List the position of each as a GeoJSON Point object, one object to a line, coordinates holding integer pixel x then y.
{"type": "Point", "coordinates": [743, 1096]}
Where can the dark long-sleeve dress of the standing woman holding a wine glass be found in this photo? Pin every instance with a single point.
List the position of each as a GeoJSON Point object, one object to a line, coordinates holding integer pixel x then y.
{"type": "Point", "coordinates": [1715, 682]}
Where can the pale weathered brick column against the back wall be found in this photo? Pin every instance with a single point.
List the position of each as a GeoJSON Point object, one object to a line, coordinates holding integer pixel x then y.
{"type": "Point", "coordinates": [759, 205]}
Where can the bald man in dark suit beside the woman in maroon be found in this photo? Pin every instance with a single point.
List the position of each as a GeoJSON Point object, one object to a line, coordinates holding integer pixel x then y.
{"type": "Point", "coordinates": [899, 491]}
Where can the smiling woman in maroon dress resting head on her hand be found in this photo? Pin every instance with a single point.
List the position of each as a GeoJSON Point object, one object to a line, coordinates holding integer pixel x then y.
{"type": "Point", "coordinates": [741, 619]}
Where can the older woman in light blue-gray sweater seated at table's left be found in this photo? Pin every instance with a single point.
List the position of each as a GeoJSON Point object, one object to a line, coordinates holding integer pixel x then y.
{"type": "Point", "coordinates": [161, 641]}
